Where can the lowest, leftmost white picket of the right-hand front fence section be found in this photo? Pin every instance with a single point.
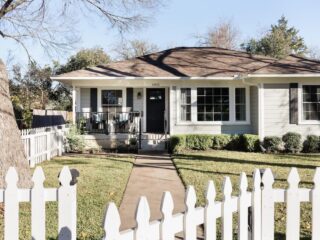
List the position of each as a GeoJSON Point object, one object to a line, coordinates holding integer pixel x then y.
{"type": "Point", "coordinates": [112, 222]}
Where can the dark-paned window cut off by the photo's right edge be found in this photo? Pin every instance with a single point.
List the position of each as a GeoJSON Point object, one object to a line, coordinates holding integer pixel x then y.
{"type": "Point", "coordinates": [311, 102]}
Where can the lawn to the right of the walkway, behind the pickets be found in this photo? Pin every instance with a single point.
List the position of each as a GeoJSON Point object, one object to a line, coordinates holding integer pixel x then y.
{"type": "Point", "coordinates": [197, 168]}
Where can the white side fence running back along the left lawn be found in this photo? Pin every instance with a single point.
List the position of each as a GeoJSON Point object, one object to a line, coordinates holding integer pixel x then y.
{"type": "Point", "coordinates": [42, 144]}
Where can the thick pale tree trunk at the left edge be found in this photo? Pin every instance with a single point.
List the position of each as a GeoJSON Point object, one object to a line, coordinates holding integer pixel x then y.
{"type": "Point", "coordinates": [11, 147]}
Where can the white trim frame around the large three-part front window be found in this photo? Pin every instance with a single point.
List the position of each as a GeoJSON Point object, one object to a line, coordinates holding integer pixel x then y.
{"type": "Point", "coordinates": [194, 121]}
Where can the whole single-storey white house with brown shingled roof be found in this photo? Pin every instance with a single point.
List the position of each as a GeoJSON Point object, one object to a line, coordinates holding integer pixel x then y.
{"type": "Point", "coordinates": [199, 90]}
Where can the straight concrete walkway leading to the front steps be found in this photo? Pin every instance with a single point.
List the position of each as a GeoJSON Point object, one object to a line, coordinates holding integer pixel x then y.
{"type": "Point", "coordinates": [152, 174]}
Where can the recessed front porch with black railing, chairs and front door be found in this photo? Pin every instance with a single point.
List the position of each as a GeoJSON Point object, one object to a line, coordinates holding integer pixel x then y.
{"type": "Point", "coordinates": [112, 116]}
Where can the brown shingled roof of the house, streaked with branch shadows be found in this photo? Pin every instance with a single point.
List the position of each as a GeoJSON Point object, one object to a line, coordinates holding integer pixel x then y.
{"type": "Point", "coordinates": [199, 62]}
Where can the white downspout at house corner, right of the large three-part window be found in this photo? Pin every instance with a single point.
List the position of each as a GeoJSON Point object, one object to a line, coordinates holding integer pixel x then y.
{"type": "Point", "coordinates": [260, 87]}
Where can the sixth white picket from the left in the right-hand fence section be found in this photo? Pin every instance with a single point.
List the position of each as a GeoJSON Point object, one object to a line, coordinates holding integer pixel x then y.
{"type": "Point", "coordinates": [227, 230]}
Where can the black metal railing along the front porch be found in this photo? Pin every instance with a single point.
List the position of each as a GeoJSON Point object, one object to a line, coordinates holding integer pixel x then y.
{"type": "Point", "coordinates": [108, 122]}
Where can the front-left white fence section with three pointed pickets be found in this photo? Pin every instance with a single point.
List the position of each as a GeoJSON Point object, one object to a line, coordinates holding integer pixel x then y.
{"type": "Point", "coordinates": [65, 195]}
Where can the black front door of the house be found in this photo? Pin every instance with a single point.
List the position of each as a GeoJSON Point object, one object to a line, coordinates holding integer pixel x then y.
{"type": "Point", "coordinates": [155, 110]}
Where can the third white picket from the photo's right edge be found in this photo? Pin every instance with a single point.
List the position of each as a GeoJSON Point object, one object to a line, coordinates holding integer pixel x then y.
{"type": "Point", "coordinates": [267, 205]}
